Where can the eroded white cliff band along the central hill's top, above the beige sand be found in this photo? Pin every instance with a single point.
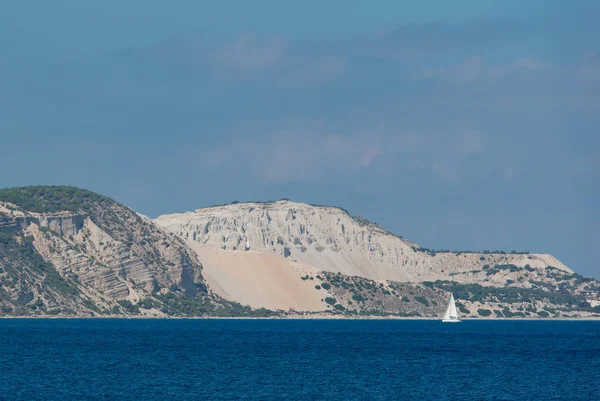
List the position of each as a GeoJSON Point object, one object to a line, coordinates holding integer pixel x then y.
{"type": "Point", "coordinates": [330, 239]}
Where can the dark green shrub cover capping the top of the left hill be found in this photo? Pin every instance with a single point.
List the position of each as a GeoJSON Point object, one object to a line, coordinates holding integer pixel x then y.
{"type": "Point", "coordinates": [51, 199]}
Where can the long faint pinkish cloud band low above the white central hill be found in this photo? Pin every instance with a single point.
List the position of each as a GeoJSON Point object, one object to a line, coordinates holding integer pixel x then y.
{"type": "Point", "coordinates": [306, 156]}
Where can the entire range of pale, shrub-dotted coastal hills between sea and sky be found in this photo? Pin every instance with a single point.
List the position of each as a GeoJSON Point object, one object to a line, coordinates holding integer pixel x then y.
{"type": "Point", "coordinates": [66, 251]}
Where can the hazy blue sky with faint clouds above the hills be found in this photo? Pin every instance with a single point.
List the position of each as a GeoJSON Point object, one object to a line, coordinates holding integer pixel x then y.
{"type": "Point", "coordinates": [464, 125]}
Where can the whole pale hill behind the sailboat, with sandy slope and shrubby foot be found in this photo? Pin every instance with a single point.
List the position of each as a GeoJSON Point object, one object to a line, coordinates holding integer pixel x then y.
{"type": "Point", "coordinates": [245, 245]}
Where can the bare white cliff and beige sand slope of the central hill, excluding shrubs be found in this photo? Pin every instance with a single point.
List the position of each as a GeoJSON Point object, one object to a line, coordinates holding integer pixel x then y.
{"type": "Point", "coordinates": [255, 253]}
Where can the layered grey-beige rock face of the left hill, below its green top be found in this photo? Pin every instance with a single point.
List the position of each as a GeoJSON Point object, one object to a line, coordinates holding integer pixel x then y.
{"type": "Point", "coordinates": [114, 251]}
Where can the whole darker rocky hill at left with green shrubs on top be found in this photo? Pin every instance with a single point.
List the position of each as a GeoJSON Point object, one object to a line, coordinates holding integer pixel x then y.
{"type": "Point", "coordinates": [67, 251]}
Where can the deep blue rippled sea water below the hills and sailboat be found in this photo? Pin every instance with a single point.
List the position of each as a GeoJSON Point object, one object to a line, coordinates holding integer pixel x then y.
{"type": "Point", "coordinates": [69, 359]}
